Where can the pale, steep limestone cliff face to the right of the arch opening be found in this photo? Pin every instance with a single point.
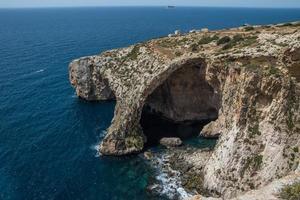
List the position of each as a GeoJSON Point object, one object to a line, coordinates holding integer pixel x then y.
{"type": "Point", "coordinates": [259, 126]}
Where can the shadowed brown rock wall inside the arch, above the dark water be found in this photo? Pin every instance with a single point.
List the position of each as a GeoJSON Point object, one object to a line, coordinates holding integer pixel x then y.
{"type": "Point", "coordinates": [180, 97]}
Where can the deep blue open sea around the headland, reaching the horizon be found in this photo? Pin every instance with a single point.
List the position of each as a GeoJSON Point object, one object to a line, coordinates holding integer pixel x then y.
{"type": "Point", "coordinates": [47, 134]}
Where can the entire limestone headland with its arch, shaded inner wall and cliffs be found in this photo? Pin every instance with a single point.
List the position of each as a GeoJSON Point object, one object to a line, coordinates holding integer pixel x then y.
{"type": "Point", "coordinates": [246, 78]}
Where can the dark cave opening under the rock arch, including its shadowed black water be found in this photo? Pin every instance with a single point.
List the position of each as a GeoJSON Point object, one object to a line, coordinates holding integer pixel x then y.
{"type": "Point", "coordinates": [181, 106]}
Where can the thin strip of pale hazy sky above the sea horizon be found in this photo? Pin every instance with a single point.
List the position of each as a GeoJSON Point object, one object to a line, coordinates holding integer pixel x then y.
{"type": "Point", "coordinates": [230, 3]}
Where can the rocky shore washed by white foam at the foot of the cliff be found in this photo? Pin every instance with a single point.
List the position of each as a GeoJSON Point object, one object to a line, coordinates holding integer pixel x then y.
{"type": "Point", "coordinates": [177, 179]}
